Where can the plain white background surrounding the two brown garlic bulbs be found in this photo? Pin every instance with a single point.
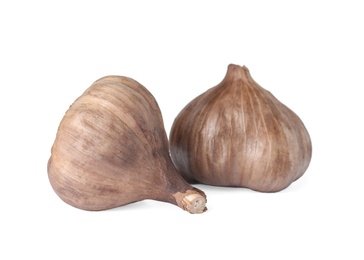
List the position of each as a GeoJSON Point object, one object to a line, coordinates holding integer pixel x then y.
{"type": "Point", "coordinates": [309, 54]}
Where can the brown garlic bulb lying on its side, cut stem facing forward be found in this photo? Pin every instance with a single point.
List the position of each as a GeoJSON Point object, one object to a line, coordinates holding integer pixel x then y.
{"type": "Point", "coordinates": [111, 149]}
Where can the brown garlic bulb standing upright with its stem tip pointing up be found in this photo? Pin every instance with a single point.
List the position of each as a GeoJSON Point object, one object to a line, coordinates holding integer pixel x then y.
{"type": "Point", "coordinates": [238, 134]}
